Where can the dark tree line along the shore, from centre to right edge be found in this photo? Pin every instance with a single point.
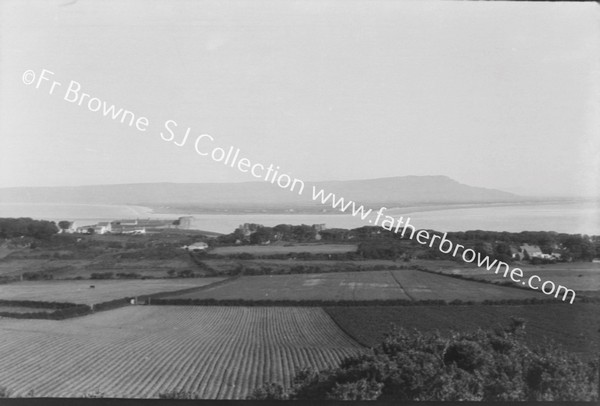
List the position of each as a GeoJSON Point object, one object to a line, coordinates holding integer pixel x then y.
{"type": "Point", "coordinates": [378, 243]}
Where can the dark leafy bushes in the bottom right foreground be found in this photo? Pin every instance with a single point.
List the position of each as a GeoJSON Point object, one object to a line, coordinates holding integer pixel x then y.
{"type": "Point", "coordinates": [491, 365]}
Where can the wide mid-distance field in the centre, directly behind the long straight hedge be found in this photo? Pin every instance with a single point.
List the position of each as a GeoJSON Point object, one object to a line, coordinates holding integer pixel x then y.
{"type": "Point", "coordinates": [372, 285]}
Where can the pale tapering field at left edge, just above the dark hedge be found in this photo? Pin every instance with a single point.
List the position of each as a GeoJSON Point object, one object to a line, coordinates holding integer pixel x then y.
{"type": "Point", "coordinates": [104, 290]}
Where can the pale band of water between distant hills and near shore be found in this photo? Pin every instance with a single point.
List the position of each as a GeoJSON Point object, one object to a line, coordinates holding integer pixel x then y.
{"type": "Point", "coordinates": [575, 216]}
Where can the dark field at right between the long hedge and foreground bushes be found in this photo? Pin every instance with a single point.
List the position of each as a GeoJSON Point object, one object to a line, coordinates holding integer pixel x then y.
{"type": "Point", "coordinates": [576, 327]}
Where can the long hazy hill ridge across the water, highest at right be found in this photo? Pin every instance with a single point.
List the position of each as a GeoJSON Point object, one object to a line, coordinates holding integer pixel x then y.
{"type": "Point", "coordinates": [396, 190]}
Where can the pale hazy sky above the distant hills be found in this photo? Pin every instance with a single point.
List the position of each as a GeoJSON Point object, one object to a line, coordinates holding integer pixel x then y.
{"type": "Point", "coordinates": [502, 95]}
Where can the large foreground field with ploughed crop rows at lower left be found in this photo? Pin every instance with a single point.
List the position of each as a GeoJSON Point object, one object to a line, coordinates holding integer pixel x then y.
{"type": "Point", "coordinates": [140, 351]}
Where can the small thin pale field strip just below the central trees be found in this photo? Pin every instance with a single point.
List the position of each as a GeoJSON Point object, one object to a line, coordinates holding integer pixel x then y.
{"type": "Point", "coordinates": [285, 249]}
